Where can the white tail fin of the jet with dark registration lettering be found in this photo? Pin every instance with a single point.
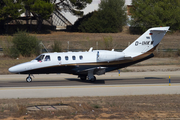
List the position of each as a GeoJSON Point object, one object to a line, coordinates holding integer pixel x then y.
{"type": "Point", "coordinates": [146, 42]}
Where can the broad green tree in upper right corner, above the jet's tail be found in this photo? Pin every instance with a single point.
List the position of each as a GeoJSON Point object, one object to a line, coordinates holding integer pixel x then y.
{"type": "Point", "coordinates": [151, 13]}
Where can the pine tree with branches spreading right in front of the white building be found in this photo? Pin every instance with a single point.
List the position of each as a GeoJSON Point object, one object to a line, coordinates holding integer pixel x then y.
{"type": "Point", "coordinates": [42, 9]}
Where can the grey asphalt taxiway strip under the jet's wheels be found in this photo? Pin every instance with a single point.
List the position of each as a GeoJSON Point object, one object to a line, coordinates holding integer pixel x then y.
{"type": "Point", "coordinates": [110, 84]}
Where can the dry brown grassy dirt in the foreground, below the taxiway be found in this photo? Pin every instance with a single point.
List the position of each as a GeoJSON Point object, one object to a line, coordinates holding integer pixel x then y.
{"type": "Point", "coordinates": [88, 108]}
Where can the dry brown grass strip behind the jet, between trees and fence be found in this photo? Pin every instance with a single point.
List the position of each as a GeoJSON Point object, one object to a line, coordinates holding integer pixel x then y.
{"type": "Point", "coordinates": [83, 41]}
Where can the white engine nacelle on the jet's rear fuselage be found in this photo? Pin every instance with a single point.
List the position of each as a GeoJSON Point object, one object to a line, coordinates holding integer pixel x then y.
{"type": "Point", "coordinates": [109, 56]}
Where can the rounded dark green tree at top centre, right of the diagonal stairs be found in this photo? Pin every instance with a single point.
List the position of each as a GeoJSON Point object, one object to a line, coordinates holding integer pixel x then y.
{"type": "Point", "coordinates": [110, 17]}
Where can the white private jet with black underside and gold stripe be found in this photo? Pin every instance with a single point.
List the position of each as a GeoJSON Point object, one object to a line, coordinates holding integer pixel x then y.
{"type": "Point", "coordinates": [93, 62]}
